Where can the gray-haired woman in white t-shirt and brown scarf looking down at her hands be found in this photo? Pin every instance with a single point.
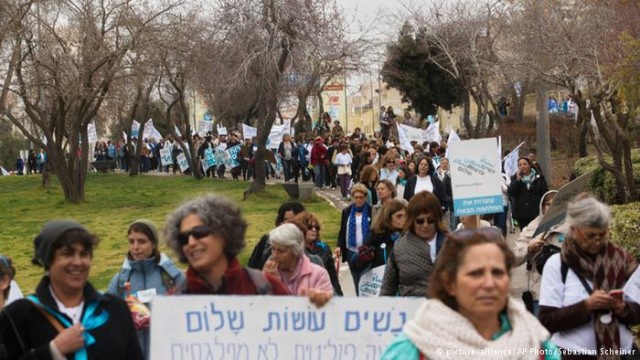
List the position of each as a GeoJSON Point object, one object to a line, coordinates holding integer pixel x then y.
{"type": "Point", "coordinates": [581, 301]}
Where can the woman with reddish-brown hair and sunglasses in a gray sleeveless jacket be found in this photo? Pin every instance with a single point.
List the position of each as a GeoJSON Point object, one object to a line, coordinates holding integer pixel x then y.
{"type": "Point", "coordinates": [414, 254]}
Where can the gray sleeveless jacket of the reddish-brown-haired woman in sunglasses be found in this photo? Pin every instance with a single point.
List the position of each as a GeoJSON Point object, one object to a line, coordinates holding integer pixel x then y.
{"type": "Point", "coordinates": [408, 269]}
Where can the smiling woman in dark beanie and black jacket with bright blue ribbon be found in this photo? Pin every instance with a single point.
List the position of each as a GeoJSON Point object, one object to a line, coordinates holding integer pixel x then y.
{"type": "Point", "coordinates": [67, 318]}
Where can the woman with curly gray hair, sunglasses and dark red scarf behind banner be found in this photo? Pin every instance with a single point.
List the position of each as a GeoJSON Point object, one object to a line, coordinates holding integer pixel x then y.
{"type": "Point", "coordinates": [208, 233]}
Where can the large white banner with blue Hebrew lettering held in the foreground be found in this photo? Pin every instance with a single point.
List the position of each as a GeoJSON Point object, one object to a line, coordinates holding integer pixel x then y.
{"type": "Point", "coordinates": [265, 327]}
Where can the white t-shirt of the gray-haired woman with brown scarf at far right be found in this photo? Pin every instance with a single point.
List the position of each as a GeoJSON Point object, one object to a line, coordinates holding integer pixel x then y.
{"type": "Point", "coordinates": [554, 293]}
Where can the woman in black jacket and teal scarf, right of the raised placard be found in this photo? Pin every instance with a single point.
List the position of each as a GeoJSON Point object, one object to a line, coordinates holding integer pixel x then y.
{"type": "Point", "coordinates": [525, 190]}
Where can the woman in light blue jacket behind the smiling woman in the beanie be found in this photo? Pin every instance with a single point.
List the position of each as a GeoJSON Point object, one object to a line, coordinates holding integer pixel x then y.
{"type": "Point", "coordinates": [145, 272]}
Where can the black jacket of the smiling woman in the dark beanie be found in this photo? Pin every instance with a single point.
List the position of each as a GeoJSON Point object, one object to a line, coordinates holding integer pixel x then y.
{"type": "Point", "coordinates": [21, 323]}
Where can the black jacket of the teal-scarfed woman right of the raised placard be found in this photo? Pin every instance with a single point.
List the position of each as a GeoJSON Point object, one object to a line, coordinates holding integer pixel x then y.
{"type": "Point", "coordinates": [526, 201]}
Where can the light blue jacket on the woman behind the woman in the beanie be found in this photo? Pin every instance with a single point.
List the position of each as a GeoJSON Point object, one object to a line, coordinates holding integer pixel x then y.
{"type": "Point", "coordinates": [146, 274]}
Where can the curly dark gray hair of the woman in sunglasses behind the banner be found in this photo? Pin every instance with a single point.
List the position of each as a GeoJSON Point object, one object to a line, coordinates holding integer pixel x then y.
{"type": "Point", "coordinates": [219, 213]}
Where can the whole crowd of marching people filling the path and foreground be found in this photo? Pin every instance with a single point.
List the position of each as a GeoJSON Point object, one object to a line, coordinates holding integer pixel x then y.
{"type": "Point", "coordinates": [399, 216]}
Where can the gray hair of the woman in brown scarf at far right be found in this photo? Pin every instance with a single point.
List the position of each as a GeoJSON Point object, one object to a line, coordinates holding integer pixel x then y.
{"type": "Point", "coordinates": [585, 210]}
